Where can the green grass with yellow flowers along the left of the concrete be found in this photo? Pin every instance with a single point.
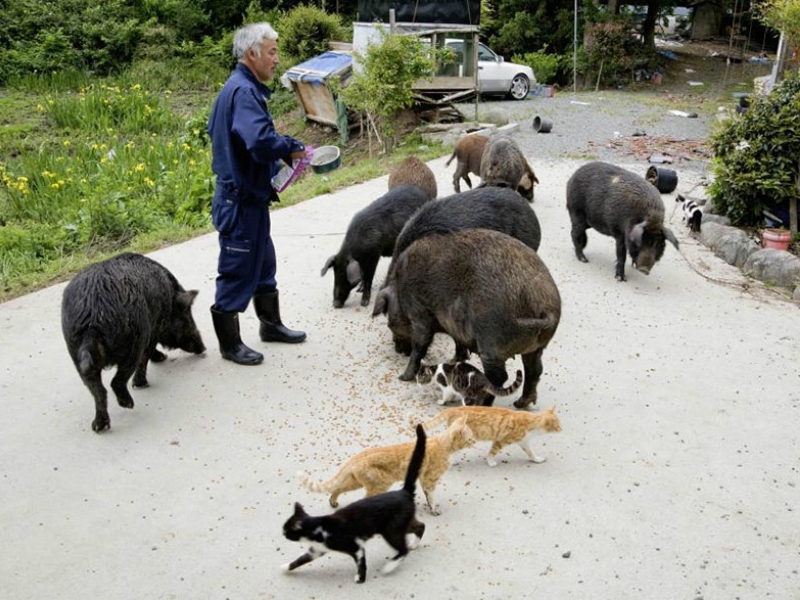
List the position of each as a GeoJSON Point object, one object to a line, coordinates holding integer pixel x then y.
{"type": "Point", "coordinates": [90, 168]}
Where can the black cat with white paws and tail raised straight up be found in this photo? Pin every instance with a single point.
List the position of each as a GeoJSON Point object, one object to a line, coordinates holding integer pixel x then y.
{"type": "Point", "coordinates": [391, 515]}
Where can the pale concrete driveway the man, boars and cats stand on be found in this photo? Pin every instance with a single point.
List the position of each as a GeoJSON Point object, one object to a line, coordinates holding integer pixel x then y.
{"type": "Point", "coordinates": [675, 475]}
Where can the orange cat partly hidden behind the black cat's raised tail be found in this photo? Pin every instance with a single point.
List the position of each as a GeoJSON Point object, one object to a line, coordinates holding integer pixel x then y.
{"type": "Point", "coordinates": [376, 469]}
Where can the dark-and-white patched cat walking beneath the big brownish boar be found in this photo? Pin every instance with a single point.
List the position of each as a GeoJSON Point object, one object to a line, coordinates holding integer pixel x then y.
{"type": "Point", "coordinates": [465, 382]}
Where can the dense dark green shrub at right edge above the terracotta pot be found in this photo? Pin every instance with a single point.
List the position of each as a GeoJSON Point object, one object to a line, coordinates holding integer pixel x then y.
{"type": "Point", "coordinates": [756, 155]}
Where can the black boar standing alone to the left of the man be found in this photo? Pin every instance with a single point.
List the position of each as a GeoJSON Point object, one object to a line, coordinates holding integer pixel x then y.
{"type": "Point", "coordinates": [114, 313]}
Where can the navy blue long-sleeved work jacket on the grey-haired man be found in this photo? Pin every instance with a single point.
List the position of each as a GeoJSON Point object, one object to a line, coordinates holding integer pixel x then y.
{"type": "Point", "coordinates": [246, 149]}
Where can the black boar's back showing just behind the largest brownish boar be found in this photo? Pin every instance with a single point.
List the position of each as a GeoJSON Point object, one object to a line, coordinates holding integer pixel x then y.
{"type": "Point", "coordinates": [499, 209]}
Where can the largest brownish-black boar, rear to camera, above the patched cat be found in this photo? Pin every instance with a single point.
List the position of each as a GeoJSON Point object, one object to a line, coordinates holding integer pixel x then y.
{"type": "Point", "coordinates": [491, 293]}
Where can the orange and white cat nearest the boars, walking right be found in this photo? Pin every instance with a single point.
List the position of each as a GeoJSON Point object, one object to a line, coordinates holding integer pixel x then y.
{"type": "Point", "coordinates": [503, 426]}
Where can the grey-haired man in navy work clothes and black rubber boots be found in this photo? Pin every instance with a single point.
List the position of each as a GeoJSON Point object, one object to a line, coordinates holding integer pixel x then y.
{"type": "Point", "coordinates": [246, 154]}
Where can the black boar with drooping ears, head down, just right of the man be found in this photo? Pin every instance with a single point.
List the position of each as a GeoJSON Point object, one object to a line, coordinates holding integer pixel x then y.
{"type": "Point", "coordinates": [371, 234]}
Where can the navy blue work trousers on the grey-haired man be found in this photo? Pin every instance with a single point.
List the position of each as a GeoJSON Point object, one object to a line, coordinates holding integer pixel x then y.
{"type": "Point", "coordinates": [247, 262]}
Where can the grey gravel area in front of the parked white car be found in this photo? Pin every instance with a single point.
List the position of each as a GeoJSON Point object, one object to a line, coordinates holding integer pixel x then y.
{"type": "Point", "coordinates": [601, 126]}
